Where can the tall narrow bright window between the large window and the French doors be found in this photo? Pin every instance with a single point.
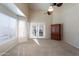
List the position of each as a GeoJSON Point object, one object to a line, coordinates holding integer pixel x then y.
{"type": "Point", "coordinates": [22, 29]}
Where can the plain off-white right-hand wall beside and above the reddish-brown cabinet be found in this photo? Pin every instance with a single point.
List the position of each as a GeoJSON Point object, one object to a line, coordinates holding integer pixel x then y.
{"type": "Point", "coordinates": [68, 15]}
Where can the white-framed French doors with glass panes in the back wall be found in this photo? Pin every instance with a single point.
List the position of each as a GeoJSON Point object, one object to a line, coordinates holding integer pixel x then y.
{"type": "Point", "coordinates": [37, 30]}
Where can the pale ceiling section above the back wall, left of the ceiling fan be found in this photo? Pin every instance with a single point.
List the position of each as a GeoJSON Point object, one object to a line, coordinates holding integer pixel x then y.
{"type": "Point", "coordinates": [39, 6]}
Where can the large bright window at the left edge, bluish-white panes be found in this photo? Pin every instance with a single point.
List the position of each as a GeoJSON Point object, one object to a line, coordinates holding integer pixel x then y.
{"type": "Point", "coordinates": [7, 27]}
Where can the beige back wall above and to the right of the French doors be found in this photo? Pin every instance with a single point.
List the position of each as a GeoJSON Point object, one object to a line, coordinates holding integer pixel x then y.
{"type": "Point", "coordinates": [41, 17]}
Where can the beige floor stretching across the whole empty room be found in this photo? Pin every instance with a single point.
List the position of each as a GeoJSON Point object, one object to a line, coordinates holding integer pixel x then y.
{"type": "Point", "coordinates": [44, 48]}
